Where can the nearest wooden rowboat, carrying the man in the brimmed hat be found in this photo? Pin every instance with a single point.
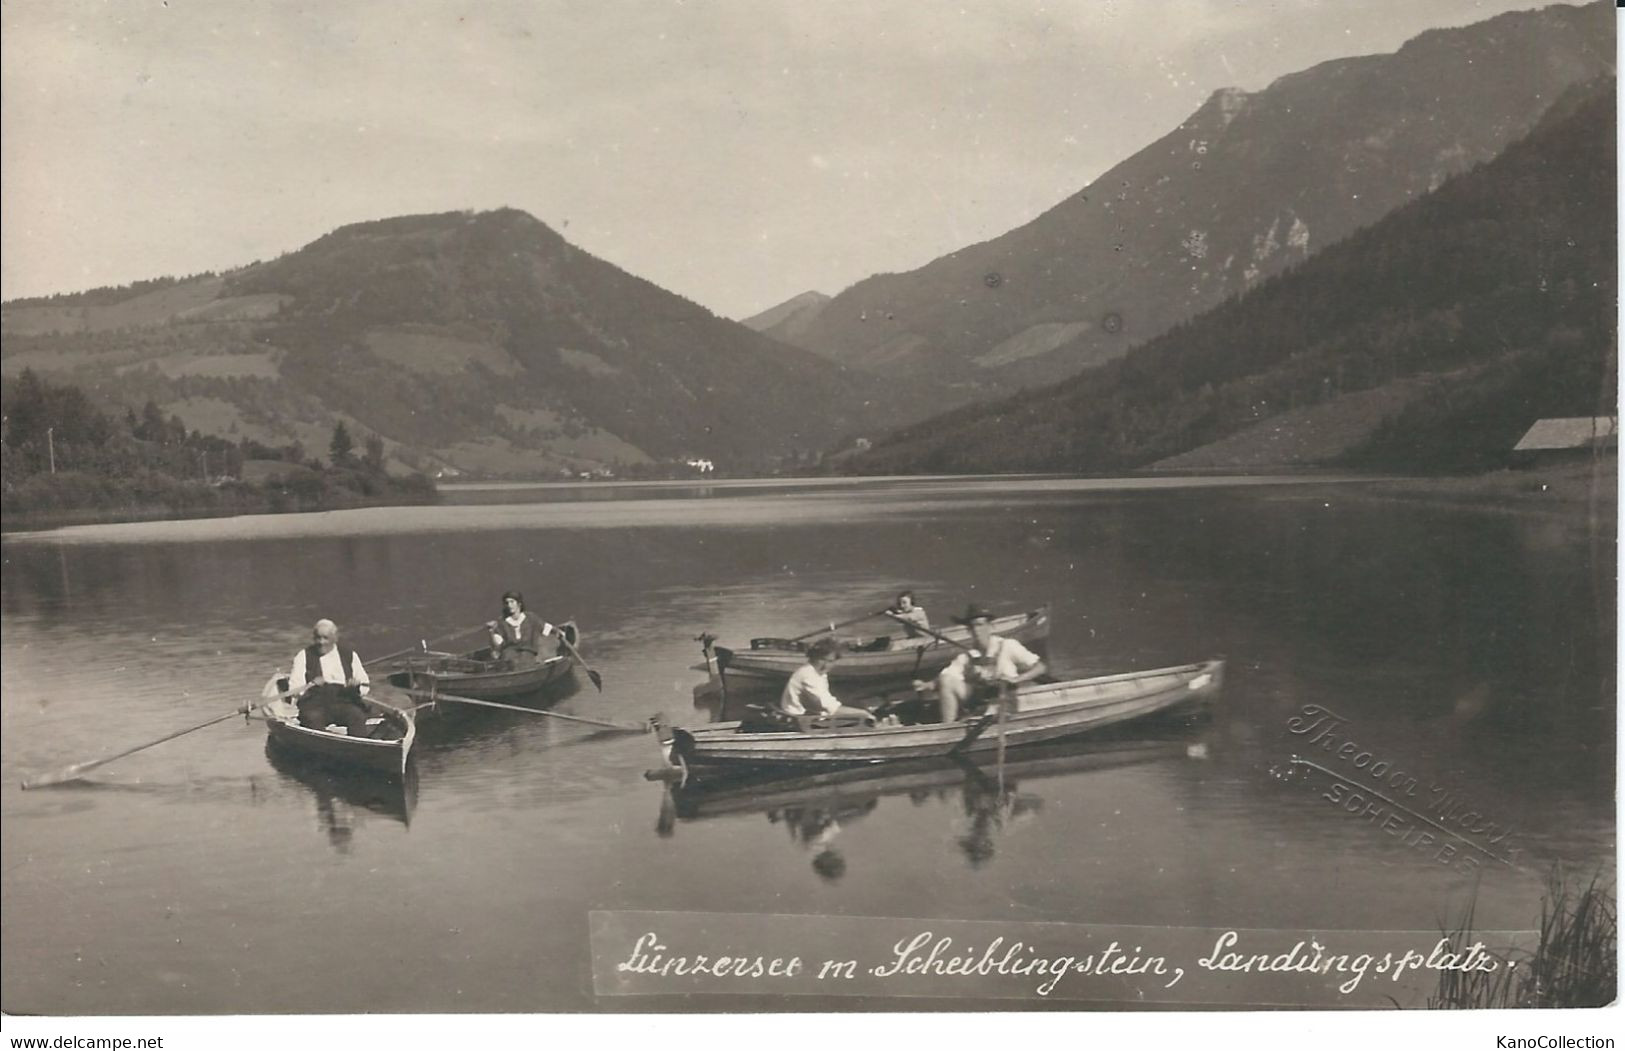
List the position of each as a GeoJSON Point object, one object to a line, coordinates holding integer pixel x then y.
{"type": "Point", "coordinates": [1036, 712]}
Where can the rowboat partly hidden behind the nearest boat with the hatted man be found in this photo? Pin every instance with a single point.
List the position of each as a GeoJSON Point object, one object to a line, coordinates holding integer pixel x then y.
{"type": "Point", "coordinates": [877, 659]}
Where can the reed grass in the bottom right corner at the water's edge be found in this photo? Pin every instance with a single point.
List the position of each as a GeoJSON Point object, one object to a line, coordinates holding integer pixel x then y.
{"type": "Point", "coordinates": [1575, 964]}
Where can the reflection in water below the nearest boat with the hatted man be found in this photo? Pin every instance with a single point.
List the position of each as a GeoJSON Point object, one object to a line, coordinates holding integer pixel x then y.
{"type": "Point", "coordinates": [989, 798]}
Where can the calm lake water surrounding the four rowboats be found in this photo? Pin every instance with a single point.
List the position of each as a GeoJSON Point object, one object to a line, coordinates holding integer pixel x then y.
{"type": "Point", "coordinates": [1468, 651]}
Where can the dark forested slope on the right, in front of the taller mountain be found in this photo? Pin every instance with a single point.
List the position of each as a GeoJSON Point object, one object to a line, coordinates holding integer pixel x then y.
{"type": "Point", "coordinates": [1428, 342]}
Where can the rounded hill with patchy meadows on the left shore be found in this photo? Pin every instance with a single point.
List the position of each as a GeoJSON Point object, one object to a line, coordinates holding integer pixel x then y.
{"type": "Point", "coordinates": [479, 342]}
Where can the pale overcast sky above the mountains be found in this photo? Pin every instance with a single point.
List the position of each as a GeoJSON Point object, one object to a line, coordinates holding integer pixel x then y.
{"type": "Point", "coordinates": [737, 152]}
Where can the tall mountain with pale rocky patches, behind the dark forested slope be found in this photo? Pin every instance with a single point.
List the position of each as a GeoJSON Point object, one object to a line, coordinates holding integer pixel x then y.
{"type": "Point", "coordinates": [1247, 188]}
